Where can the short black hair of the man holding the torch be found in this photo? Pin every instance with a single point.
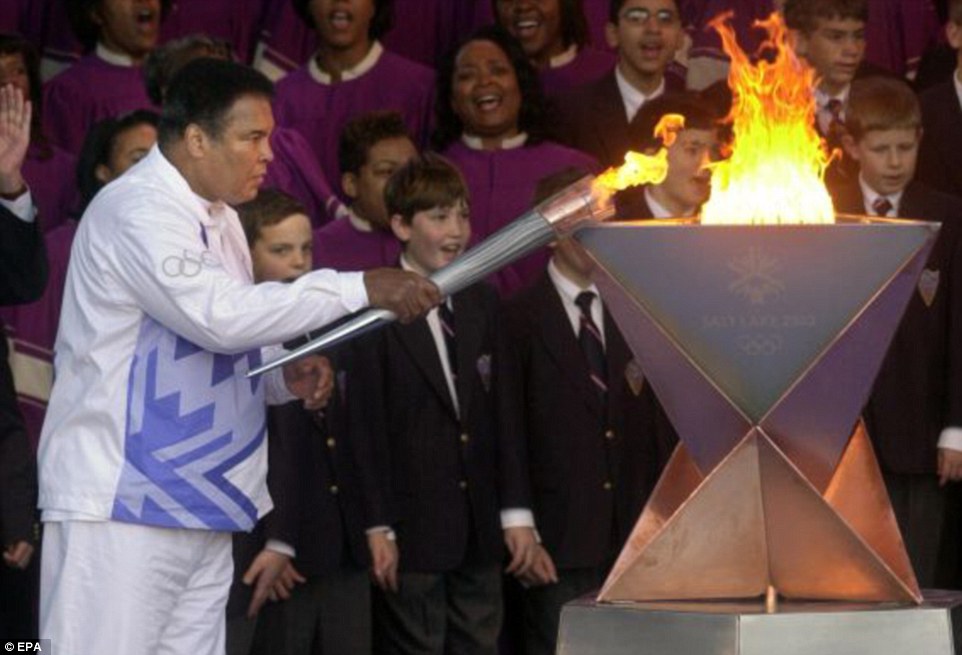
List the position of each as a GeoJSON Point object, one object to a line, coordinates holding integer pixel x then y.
{"type": "Point", "coordinates": [203, 92]}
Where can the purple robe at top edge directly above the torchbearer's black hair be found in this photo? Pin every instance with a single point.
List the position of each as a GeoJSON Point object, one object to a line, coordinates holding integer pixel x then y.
{"type": "Point", "coordinates": [234, 21]}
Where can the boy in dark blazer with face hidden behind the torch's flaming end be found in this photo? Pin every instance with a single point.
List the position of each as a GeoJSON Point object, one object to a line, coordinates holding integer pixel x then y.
{"type": "Point", "coordinates": [594, 437]}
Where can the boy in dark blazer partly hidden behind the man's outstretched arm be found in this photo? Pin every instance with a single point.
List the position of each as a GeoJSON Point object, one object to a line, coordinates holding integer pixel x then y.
{"type": "Point", "coordinates": [313, 551]}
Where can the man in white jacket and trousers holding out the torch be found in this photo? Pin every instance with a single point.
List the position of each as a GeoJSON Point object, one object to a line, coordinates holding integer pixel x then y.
{"type": "Point", "coordinates": [153, 448]}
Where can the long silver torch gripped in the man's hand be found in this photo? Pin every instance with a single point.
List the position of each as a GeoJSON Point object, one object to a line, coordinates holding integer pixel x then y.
{"type": "Point", "coordinates": [560, 215]}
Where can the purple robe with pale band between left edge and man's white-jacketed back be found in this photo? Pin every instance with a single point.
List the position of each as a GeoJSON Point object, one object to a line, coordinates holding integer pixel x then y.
{"type": "Point", "coordinates": [33, 329]}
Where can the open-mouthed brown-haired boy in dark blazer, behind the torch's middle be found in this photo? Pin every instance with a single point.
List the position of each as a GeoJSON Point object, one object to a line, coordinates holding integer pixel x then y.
{"type": "Point", "coordinates": [427, 396]}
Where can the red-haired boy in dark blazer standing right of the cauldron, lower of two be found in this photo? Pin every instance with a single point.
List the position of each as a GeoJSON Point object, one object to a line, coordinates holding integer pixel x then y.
{"type": "Point", "coordinates": [914, 414]}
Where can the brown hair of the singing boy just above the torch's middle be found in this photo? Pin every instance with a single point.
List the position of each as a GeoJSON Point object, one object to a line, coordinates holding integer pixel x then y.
{"type": "Point", "coordinates": [427, 181]}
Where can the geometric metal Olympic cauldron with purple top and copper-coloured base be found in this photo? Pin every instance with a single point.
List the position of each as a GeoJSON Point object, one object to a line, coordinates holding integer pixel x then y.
{"type": "Point", "coordinates": [762, 343]}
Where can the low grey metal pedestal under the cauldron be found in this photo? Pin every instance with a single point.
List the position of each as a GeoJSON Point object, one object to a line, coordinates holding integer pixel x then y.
{"type": "Point", "coordinates": [744, 628]}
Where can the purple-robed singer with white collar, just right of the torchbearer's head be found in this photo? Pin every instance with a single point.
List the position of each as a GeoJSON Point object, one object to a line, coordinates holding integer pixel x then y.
{"type": "Point", "coordinates": [351, 73]}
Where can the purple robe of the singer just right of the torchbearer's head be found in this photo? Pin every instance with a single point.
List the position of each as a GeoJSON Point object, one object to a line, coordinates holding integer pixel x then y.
{"type": "Point", "coordinates": [319, 111]}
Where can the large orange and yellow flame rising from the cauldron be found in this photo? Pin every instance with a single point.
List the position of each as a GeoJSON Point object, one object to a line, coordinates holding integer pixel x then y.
{"type": "Point", "coordinates": [778, 161]}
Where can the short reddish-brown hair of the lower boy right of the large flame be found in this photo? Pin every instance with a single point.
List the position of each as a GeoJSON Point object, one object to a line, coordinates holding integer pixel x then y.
{"type": "Point", "coordinates": [881, 103]}
